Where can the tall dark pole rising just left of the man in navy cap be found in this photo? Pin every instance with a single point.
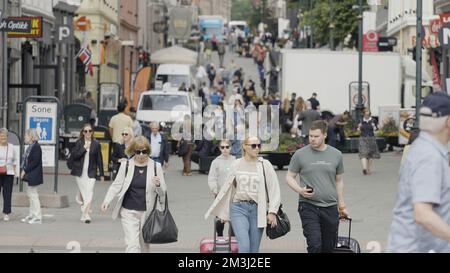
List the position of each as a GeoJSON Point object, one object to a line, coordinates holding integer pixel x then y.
{"type": "Point", "coordinates": [419, 38]}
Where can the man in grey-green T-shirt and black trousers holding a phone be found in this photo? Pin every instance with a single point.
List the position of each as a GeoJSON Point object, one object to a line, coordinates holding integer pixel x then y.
{"type": "Point", "coordinates": [321, 189]}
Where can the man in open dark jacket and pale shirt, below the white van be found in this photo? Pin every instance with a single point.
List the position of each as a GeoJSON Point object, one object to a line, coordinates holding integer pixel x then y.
{"type": "Point", "coordinates": [158, 143]}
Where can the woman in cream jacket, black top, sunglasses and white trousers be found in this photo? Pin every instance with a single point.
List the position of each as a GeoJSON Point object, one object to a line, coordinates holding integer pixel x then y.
{"type": "Point", "coordinates": [137, 185]}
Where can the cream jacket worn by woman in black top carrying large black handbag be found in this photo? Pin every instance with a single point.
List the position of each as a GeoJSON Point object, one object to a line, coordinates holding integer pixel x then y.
{"type": "Point", "coordinates": [121, 185]}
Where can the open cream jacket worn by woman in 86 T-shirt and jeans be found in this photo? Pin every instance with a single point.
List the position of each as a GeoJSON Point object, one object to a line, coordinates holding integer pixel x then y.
{"type": "Point", "coordinates": [221, 206]}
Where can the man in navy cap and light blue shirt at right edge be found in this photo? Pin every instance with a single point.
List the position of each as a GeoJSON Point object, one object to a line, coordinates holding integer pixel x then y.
{"type": "Point", "coordinates": [421, 214]}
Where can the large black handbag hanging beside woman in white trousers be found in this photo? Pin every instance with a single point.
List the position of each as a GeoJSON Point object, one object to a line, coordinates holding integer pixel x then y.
{"type": "Point", "coordinates": [160, 227]}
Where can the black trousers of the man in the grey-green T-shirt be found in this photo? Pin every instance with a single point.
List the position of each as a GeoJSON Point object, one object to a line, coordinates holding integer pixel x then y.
{"type": "Point", "coordinates": [320, 227]}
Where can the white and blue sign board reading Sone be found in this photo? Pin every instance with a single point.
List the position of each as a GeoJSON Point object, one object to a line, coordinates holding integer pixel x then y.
{"type": "Point", "coordinates": [43, 118]}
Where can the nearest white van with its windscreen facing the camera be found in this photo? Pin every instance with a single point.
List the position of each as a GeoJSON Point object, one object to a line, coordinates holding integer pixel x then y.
{"type": "Point", "coordinates": [164, 107]}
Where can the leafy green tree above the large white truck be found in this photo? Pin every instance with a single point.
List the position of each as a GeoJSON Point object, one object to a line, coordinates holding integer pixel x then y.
{"type": "Point", "coordinates": [340, 14]}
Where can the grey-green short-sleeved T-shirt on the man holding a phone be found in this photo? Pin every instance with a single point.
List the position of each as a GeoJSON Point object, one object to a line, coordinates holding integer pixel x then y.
{"type": "Point", "coordinates": [318, 169]}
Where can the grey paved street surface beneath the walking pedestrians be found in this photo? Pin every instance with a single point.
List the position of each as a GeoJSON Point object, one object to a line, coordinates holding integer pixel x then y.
{"type": "Point", "coordinates": [369, 199]}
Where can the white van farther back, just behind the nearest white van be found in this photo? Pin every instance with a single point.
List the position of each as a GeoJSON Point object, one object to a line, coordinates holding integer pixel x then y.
{"type": "Point", "coordinates": [175, 74]}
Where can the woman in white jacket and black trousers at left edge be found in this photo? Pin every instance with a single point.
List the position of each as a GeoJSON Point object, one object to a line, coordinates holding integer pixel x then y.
{"type": "Point", "coordinates": [8, 164]}
